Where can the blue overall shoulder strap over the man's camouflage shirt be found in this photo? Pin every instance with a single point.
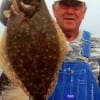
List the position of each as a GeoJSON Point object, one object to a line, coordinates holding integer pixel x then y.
{"type": "Point", "coordinates": [86, 45]}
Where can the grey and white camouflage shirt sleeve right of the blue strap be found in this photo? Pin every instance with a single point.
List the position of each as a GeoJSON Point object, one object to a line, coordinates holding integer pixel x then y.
{"type": "Point", "coordinates": [95, 56]}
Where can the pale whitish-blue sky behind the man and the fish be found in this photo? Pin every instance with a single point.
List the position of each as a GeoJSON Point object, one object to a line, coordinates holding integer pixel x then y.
{"type": "Point", "coordinates": [91, 20]}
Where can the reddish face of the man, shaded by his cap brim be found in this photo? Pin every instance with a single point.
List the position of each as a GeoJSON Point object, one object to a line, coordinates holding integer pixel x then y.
{"type": "Point", "coordinates": [69, 14]}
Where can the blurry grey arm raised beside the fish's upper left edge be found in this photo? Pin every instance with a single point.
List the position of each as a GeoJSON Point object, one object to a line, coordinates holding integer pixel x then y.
{"type": "Point", "coordinates": [5, 5]}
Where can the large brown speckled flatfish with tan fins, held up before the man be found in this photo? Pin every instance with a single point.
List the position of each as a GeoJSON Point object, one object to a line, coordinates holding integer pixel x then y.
{"type": "Point", "coordinates": [32, 50]}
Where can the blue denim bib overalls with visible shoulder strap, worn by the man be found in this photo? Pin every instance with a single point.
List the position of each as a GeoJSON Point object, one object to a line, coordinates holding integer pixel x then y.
{"type": "Point", "coordinates": [76, 80]}
